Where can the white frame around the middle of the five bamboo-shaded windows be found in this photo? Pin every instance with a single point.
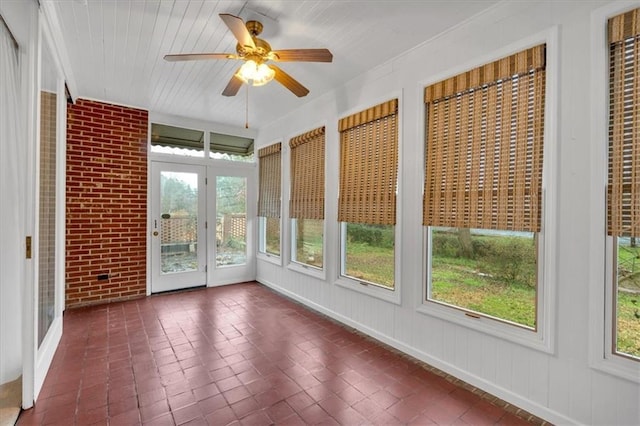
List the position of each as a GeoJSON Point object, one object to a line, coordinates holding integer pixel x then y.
{"type": "Point", "coordinates": [377, 291]}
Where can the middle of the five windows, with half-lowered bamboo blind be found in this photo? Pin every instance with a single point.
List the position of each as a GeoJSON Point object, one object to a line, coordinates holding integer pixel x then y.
{"type": "Point", "coordinates": [367, 199]}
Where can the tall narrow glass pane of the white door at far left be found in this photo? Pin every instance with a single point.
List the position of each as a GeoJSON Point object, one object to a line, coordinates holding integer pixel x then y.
{"type": "Point", "coordinates": [47, 197]}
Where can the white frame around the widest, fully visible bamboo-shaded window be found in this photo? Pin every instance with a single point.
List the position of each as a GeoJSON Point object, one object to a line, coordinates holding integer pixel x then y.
{"type": "Point", "coordinates": [541, 338]}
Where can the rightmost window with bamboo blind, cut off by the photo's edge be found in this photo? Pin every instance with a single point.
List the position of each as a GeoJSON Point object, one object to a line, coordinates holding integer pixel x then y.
{"type": "Point", "coordinates": [623, 185]}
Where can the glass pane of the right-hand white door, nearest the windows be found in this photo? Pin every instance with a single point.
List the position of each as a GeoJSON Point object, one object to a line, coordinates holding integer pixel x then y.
{"type": "Point", "coordinates": [231, 220]}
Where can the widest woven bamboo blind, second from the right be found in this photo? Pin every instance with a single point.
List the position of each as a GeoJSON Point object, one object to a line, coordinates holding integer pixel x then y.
{"type": "Point", "coordinates": [484, 146]}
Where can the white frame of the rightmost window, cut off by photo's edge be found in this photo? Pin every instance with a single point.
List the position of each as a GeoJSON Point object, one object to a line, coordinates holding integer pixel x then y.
{"type": "Point", "coordinates": [603, 271]}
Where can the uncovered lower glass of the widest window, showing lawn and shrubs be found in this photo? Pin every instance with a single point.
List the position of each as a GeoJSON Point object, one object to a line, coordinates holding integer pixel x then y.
{"type": "Point", "coordinates": [485, 271]}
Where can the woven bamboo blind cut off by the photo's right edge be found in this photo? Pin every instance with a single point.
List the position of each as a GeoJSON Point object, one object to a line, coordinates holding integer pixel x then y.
{"type": "Point", "coordinates": [623, 191]}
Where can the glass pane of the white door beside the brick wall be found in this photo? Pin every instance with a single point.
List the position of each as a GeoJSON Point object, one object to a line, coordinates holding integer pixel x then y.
{"type": "Point", "coordinates": [179, 221]}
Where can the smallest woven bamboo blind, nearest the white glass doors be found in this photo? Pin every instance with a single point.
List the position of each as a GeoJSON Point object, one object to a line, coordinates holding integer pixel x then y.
{"type": "Point", "coordinates": [269, 184]}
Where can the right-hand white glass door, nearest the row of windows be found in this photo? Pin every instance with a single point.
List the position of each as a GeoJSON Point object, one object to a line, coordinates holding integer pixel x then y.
{"type": "Point", "coordinates": [232, 257]}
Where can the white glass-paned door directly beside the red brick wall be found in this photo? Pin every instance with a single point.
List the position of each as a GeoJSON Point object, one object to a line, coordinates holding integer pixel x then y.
{"type": "Point", "coordinates": [178, 226]}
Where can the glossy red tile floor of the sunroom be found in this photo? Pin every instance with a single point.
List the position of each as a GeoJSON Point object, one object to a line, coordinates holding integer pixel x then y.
{"type": "Point", "coordinates": [242, 355]}
